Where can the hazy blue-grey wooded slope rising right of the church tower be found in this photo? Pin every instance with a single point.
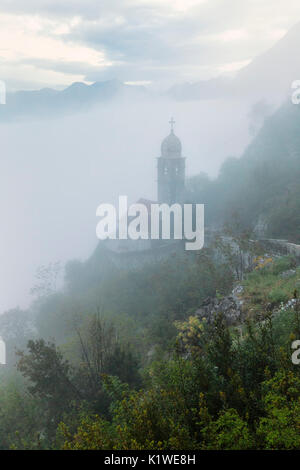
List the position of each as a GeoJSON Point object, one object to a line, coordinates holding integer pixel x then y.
{"type": "Point", "coordinates": [262, 185]}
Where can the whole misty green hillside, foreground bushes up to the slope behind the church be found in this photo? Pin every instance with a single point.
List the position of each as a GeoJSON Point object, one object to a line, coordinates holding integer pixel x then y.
{"type": "Point", "coordinates": [193, 351]}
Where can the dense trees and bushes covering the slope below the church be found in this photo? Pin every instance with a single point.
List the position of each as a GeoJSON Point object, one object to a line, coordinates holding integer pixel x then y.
{"type": "Point", "coordinates": [170, 381]}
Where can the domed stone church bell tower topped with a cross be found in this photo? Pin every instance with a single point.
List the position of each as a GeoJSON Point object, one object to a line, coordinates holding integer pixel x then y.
{"type": "Point", "coordinates": [171, 170]}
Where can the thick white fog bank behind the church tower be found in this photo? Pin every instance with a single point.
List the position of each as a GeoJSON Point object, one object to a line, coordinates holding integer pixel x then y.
{"type": "Point", "coordinates": [56, 172]}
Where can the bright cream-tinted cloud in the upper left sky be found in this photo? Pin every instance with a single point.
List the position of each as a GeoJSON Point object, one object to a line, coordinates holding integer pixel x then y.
{"type": "Point", "coordinates": [33, 53]}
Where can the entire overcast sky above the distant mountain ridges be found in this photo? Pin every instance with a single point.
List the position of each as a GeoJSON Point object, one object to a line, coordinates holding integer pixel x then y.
{"type": "Point", "coordinates": [56, 42]}
